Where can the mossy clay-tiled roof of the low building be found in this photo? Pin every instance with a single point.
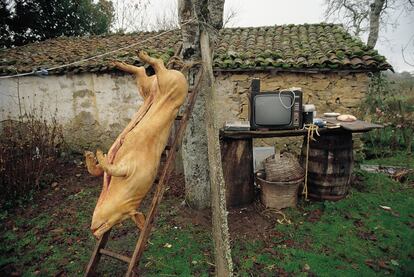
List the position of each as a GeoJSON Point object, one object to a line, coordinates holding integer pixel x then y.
{"type": "Point", "coordinates": [287, 47]}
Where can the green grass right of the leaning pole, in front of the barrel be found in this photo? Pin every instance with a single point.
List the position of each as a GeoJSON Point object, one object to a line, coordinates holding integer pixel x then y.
{"type": "Point", "coordinates": [350, 235]}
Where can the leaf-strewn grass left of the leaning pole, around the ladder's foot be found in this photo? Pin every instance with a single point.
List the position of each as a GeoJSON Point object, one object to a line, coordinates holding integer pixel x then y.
{"type": "Point", "coordinates": [58, 240]}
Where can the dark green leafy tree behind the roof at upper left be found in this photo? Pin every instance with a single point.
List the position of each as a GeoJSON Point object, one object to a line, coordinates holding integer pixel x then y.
{"type": "Point", "coordinates": [35, 20]}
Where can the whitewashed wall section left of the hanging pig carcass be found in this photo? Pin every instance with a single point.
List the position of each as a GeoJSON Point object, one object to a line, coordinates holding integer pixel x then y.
{"type": "Point", "coordinates": [92, 108]}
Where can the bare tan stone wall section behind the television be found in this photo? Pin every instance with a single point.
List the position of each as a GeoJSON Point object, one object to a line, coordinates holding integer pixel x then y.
{"type": "Point", "coordinates": [337, 92]}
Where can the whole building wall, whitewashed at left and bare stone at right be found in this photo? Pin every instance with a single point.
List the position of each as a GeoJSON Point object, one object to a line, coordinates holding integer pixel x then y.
{"type": "Point", "coordinates": [95, 108]}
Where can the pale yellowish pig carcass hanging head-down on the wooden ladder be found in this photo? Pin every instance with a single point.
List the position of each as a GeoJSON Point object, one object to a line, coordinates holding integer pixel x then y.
{"type": "Point", "coordinates": [132, 162]}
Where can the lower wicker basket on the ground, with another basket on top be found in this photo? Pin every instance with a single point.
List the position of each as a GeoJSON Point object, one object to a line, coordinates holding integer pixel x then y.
{"type": "Point", "coordinates": [278, 195]}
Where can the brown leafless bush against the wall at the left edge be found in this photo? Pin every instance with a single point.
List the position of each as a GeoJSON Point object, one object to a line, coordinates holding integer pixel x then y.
{"type": "Point", "coordinates": [29, 148]}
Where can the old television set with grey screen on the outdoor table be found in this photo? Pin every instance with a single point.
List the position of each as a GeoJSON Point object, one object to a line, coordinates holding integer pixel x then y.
{"type": "Point", "coordinates": [275, 110]}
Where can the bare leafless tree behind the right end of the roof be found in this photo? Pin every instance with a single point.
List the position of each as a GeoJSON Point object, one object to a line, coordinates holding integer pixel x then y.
{"type": "Point", "coordinates": [364, 16]}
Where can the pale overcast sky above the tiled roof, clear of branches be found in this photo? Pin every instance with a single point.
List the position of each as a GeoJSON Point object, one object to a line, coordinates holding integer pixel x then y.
{"type": "Point", "coordinates": [279, 12]}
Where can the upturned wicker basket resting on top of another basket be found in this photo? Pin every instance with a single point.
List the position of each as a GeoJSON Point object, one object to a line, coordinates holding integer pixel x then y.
{"type": "Point", "coordinates": [283, 168]}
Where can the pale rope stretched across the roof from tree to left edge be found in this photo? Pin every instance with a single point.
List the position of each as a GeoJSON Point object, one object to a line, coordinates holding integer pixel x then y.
{"type": "Point", "coordinates": [45, 71]}
